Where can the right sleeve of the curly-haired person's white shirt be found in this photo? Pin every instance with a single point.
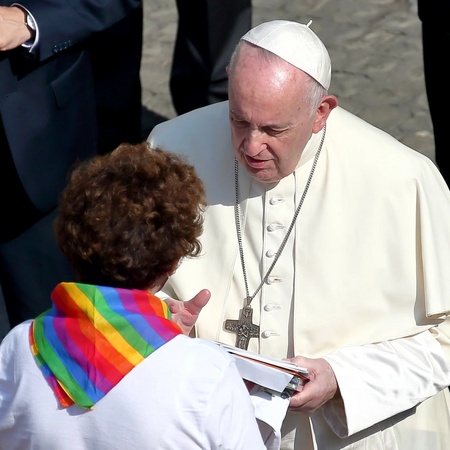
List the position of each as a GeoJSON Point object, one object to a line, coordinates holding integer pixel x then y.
{"type": "Point", "coordinates": [231, 423]}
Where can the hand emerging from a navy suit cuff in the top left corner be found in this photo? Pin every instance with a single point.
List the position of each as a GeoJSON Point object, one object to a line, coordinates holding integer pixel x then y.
{"type": "Point", "coordinates": [13, 29]}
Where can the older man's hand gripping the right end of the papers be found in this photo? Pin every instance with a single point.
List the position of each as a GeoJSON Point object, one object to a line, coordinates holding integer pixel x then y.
{"type": "Point", "coordinates": [321, 387]}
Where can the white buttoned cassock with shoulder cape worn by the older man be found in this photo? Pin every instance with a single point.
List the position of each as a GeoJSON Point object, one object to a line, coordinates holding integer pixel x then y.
{"type": "Point", "coordinates": [364, 280]}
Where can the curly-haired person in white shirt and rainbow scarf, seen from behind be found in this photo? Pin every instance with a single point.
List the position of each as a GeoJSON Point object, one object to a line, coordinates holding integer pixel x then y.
{"type": "Point", "coordinates": [107, 367]}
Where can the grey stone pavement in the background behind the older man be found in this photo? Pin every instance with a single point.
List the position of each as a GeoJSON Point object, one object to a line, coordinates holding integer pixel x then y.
{"type": "Point", "coordinates": [376, 52]}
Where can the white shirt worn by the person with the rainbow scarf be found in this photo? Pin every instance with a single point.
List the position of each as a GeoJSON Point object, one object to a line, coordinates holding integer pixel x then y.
{"type": "Point", "coordinates": [186, 395]}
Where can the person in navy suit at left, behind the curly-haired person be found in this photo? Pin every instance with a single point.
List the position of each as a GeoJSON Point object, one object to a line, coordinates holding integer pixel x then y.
{"type": "Point", "coordinates": [48, 119]}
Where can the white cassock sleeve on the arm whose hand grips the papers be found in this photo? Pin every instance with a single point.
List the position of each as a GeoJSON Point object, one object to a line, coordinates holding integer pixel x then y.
{"type": "Point", "coordinates": [386, 378]}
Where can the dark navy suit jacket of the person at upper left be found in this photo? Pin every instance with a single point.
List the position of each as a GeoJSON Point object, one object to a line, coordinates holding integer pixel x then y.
{"type": "Point", "coordinates": [47, 103]}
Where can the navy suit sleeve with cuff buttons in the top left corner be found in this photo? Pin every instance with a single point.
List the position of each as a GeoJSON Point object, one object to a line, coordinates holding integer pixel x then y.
{"type": "Point", "coordinates": [66, 23]}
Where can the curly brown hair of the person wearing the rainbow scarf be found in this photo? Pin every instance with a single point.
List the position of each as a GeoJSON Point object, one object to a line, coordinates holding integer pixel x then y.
{"type": "Point", "coordinates": [127, 217]}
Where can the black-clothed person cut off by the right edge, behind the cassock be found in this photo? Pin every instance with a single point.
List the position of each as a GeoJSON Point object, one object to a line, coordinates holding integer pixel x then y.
{"type": "Point", "coordinates": [436, 40]}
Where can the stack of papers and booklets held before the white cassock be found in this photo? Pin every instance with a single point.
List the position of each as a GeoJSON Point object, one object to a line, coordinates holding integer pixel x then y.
{"type": "Point", "coordinates": [273, 374]}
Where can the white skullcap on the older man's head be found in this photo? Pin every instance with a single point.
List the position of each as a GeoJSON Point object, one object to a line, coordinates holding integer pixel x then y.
{"type": "Point", "coordinates": [295, 43]}
